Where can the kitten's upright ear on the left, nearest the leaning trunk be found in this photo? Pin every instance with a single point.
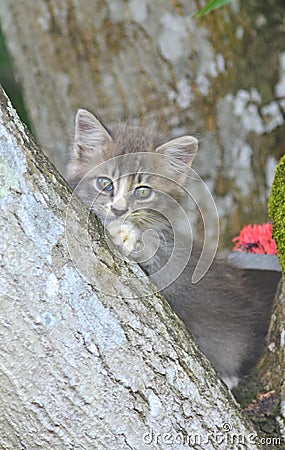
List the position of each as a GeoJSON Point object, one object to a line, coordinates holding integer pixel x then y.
{"type": "Point", "coordinates": [90, 134]}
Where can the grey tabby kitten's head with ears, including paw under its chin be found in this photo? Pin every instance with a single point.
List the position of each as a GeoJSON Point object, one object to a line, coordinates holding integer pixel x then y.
{"type": "Point", "coordinates": [130, 181]}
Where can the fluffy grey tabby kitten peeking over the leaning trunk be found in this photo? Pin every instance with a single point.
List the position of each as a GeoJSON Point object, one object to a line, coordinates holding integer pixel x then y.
{"type": "Point", "coordinates": [137, 184]}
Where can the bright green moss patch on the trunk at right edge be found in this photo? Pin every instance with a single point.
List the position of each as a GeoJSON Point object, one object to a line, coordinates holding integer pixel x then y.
{"type": "Point", "coordinates": [276, 208]}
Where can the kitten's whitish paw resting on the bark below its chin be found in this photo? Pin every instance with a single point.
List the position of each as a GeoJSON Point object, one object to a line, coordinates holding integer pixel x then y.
{"type": "Point", "coordinates": [123, 236]}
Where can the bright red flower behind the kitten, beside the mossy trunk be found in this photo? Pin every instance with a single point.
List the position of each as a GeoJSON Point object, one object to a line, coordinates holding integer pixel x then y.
{"type": "Point", "coordinates": [256, 239]}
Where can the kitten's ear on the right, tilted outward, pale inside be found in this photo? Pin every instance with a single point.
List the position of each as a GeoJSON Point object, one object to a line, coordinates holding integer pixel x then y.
{"type": "Point", "coordinates": [182, 149]}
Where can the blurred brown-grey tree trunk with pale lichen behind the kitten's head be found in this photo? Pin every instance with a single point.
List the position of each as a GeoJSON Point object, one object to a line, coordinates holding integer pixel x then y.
{"type": "Point", "coordinates": [154, 60]}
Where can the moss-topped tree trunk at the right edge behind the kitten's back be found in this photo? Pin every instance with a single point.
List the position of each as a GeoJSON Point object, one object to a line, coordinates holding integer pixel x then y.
{"type": "Point", "coordinates": [266, 387]}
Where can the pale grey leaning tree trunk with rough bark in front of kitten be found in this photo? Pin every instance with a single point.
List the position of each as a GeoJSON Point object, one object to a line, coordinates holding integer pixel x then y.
{"type": "Point", "coordinates": [90, 357]}
